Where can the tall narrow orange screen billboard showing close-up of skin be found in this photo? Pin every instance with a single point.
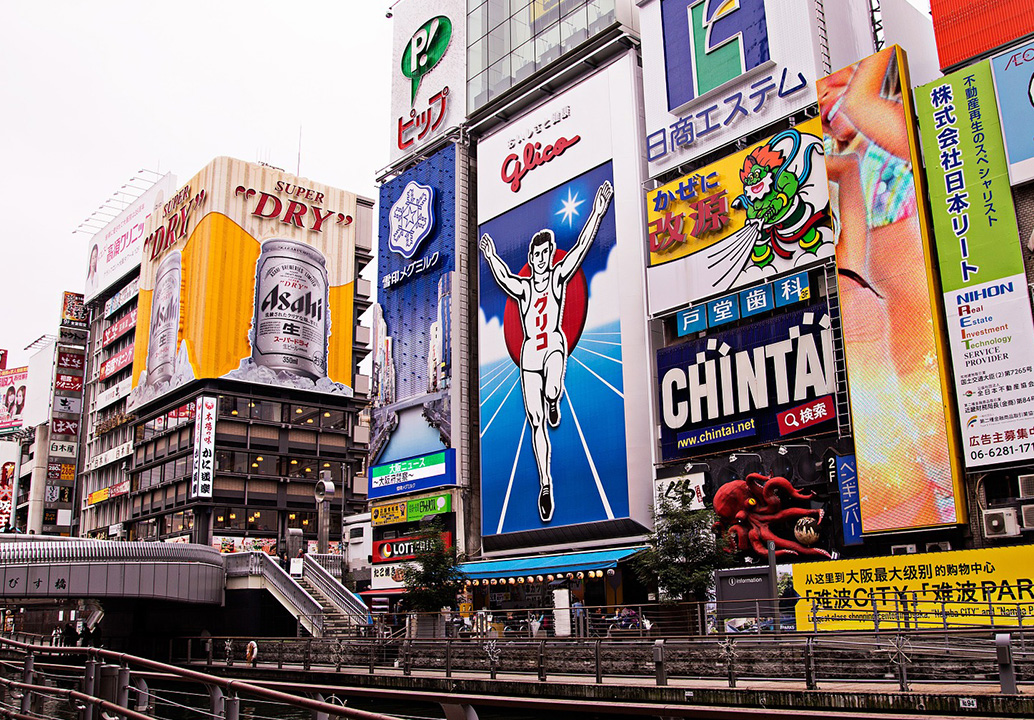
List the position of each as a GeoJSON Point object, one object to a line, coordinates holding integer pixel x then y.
{"type": "Point", "coordinates": [907, 465]}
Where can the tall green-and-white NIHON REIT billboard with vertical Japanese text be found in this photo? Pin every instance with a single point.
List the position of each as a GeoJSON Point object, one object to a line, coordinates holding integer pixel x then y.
{"type": "Point", "coordinates": [991, 333]}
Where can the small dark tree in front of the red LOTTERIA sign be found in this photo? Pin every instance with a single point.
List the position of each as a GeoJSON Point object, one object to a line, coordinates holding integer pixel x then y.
{"type": "Point", "coordinates": [434, 580]}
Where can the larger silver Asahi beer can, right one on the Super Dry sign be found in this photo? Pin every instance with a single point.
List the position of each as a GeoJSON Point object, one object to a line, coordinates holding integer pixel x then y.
{"type": "Point", "coordinates": [291, 331]}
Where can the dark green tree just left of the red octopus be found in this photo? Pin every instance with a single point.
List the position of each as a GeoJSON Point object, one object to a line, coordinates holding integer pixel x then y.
{"type": "Point", "coordinates": [684, 553]}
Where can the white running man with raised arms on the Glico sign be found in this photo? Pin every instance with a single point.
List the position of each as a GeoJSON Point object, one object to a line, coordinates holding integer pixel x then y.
{"type": "Point", "coordinates": [544, 351]}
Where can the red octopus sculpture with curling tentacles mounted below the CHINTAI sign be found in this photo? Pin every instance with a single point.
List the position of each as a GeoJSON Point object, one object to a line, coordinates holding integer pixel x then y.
{"type": "Point", "coordinates": [747, 509]}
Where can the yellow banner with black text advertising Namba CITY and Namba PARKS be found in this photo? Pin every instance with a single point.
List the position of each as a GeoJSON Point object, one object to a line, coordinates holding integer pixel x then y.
{"type": "Point", "coordinates": [924, 591]}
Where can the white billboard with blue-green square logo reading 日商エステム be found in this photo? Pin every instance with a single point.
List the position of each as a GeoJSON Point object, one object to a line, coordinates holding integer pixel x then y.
{"type": "Point", "coordinates": [716, 72]}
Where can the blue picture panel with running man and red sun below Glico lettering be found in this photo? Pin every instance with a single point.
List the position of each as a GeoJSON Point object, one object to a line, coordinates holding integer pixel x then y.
{"type": "Point", "coordinates": [552, 393]}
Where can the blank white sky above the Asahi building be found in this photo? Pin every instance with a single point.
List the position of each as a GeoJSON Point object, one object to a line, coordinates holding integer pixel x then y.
{"type": "Point", "coordinates": [94, 92]}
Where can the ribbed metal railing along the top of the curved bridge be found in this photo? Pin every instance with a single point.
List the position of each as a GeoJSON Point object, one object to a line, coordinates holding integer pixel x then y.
{"type": "Point", "coordinates": [83, 551]}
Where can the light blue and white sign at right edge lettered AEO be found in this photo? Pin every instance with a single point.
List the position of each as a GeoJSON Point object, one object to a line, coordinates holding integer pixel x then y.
{"type": "Point", "coordinates": [1015, 87]}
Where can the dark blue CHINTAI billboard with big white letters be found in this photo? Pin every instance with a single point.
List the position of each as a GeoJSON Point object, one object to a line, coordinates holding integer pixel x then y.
{"type": "Point", "coordinates": [757, 384]}
